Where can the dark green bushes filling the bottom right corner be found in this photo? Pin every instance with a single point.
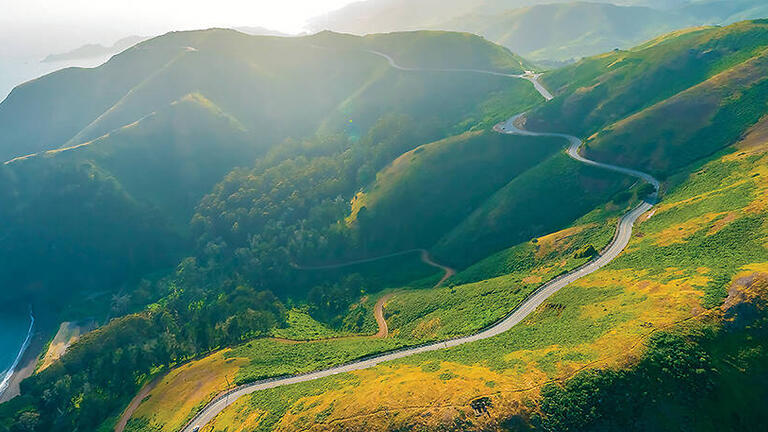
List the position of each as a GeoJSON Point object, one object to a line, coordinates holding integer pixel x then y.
{"type": "Point", "coordinates": [704, 378]}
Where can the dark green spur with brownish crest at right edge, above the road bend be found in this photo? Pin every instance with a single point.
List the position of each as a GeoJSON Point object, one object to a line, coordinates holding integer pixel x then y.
{"type": "Point", "coordinates": [690, 125]}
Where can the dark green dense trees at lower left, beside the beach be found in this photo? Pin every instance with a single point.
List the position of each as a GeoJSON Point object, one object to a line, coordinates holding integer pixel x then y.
{"type": "Point", "coordinates": [91, 381]}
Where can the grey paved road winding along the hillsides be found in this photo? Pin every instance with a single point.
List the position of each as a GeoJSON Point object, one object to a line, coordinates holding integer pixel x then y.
{"type": "Point", "coordinates": [619, 242]}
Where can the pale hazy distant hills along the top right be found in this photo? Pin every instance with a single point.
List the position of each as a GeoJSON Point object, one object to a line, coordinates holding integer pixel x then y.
{"type": "Point", "coordinates": [551, 31]}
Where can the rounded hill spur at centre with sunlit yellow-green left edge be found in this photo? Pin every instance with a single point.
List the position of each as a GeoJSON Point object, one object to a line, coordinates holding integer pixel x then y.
{"type": "Point", "coordinates": [426, 192]}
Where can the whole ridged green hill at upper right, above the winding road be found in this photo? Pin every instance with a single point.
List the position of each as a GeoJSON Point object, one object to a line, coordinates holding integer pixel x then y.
{"type": "Point", "coordinates": [655, 87]}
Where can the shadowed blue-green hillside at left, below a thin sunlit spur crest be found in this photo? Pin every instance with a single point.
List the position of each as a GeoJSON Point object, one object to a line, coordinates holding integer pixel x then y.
{"type": "Point", "coordinates": [118, 206]}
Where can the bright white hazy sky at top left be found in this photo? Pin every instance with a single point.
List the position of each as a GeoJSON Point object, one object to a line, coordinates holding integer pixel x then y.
{"type": "Point", "coordinates": [61, 23]}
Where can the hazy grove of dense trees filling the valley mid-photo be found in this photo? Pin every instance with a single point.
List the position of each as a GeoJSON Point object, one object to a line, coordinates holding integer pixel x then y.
{"type": "Point", "coordinates": [259, 224]}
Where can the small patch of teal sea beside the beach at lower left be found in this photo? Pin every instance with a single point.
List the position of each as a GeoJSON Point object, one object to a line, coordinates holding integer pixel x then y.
{"type": "Point", "coordinates": [14, 335]}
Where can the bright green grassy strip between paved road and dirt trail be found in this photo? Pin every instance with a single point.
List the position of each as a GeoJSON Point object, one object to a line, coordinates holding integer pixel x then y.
{"type": "Point", "coordinates": [486, 292]}
